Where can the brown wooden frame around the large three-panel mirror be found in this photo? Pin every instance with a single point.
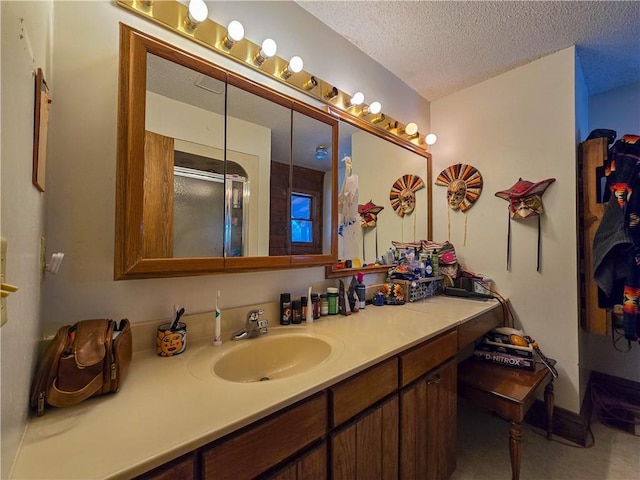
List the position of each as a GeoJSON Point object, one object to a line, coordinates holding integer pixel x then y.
{"type": "Point", "coordinates": [130, 261]}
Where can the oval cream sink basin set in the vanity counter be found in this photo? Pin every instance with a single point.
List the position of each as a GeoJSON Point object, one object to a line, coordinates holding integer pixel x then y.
{"type": "Point", "coordinates": [265, 358]}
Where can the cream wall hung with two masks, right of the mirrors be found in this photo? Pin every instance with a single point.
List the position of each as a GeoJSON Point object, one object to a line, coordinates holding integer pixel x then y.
{"type": "Point", "coordinates": [519, 124]}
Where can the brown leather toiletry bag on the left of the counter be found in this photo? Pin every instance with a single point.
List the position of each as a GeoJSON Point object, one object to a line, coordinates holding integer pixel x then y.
{"type": "Point", "coordinates": [87, 359]}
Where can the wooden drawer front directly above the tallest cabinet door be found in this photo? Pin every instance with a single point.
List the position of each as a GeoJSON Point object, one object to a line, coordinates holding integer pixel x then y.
{"type": "Point", "coordinates": [421, 359]}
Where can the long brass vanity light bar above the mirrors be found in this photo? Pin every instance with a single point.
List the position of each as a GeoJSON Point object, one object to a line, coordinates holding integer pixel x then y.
{"type": "Point", "coordinates": [174, 16]}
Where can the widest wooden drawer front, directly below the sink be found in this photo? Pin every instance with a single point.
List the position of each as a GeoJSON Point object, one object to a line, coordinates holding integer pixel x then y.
{"type": "Point", "coordinates": [254, 451]}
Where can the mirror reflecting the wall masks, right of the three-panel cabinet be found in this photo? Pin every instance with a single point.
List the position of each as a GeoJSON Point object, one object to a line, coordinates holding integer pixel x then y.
{"type": "Point", "coordinates": [369, 155]}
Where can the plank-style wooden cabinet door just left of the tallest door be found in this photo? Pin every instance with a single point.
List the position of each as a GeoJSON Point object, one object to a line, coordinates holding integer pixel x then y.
{"type": "Point", "coordinates": [367, 449]}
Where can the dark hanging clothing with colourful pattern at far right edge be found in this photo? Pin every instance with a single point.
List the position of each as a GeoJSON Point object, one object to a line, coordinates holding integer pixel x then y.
{"type": "Point", "coordinates": [616, 244]}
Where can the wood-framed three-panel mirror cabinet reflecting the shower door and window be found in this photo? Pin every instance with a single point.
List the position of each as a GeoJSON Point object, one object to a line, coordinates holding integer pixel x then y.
{"type": "Point", "coordinates": [213, 169]}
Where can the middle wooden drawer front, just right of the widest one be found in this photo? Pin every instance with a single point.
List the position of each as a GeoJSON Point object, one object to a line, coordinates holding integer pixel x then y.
{"type": "Point", "coordinates": [363, 390]}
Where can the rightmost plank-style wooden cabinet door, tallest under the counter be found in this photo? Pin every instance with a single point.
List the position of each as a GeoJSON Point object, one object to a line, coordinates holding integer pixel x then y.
{"type": "Point", "coordinates": [428, 413]}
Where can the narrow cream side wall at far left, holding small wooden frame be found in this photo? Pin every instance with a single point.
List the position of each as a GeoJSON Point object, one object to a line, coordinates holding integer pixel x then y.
{"type": "Point", "coordinates": [25, 47]}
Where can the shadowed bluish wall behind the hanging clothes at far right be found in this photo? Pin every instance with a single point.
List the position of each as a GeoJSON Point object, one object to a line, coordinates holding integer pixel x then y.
{"type": "Point", "coordinates": [619, 110]}
